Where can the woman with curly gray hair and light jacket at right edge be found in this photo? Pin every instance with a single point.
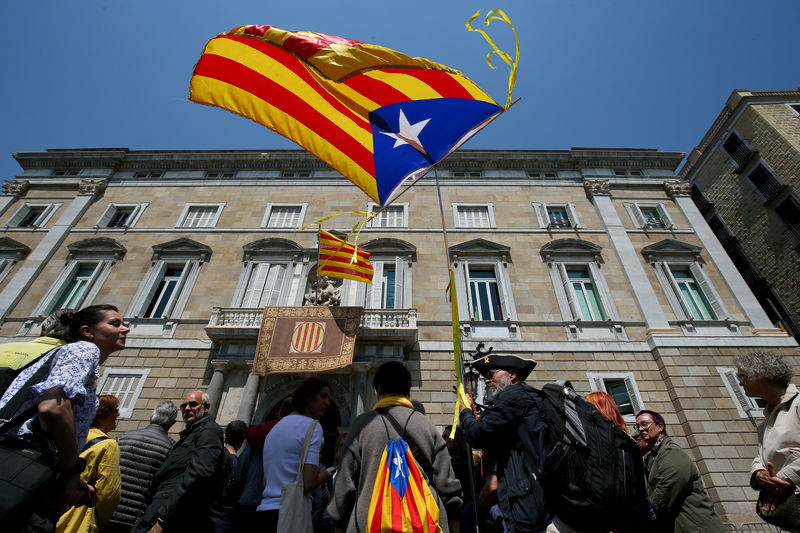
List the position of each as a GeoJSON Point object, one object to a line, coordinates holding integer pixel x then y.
{"type": "Point", "coordinates": [774, 473]}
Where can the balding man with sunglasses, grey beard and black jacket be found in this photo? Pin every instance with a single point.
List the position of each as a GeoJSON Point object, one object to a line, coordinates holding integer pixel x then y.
{"type": "Point", "coordinates": [190, 481]}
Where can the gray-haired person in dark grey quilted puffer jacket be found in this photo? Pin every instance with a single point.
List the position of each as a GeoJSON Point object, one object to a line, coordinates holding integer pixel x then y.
{"type": "Point", "coordinates": [141, 453]}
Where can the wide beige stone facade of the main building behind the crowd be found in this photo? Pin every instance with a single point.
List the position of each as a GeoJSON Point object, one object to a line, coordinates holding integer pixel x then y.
{"type": "Point", "coordinates": [595, 262]}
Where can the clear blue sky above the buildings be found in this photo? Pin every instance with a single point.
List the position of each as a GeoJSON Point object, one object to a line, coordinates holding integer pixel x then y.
{"type": "Point", "coordinates": [599, 73]}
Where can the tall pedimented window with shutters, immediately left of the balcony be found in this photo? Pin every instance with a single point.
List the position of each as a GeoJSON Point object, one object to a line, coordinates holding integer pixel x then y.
{"type": "Point", "coordinates": [166, 288]}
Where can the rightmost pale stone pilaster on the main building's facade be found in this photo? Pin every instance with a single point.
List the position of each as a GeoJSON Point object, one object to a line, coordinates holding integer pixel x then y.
{"type": "Point", "coordinates": [680, 192]}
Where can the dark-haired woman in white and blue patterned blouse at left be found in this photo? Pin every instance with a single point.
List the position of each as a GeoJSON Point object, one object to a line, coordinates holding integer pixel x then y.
{"type": "Point", "coordinates": [64, 403]}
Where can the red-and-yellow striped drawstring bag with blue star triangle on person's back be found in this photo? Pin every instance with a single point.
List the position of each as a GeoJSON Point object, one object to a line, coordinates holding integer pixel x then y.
{"type": "Point", "coordinates": [401, 498]}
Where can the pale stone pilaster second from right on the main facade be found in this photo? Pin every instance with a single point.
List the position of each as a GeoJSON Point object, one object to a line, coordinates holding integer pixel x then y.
{"type": "Point", "coordinates": [599, 192]}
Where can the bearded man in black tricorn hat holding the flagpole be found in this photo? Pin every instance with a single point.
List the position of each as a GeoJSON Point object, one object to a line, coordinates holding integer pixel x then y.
{"type": "Point", "coordinates": [496, 433]}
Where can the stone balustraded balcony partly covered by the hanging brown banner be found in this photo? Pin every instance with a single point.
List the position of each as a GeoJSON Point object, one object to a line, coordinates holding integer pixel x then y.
{"type": "Point", "coordinates": [240, 324]}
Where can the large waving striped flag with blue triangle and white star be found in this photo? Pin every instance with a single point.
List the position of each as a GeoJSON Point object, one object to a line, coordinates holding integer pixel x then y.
{"type": "Point", "coordinates": [374, 114]}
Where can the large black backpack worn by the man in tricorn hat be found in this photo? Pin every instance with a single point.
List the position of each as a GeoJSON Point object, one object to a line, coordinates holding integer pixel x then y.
{"type": "Point", "coordinates": [592, 472]}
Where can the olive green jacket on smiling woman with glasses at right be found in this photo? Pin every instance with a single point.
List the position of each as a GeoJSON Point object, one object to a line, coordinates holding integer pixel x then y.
{"type": "Point", "coordinates": [676, 491]}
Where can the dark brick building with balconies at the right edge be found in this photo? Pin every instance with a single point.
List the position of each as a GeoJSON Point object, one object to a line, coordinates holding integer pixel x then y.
{"type": "Point", "coordinates": [745, 174]}
